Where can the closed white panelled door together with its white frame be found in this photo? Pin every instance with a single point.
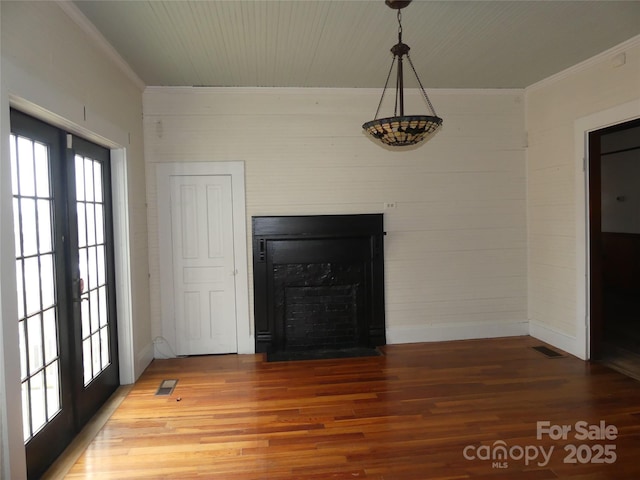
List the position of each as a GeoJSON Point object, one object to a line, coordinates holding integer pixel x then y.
{"type": "Point", "coordinates": [203, 275]}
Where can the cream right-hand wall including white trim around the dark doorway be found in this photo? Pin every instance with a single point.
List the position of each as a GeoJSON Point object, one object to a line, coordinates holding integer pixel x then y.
{"type": "Point", "coordinates": [603, 91]}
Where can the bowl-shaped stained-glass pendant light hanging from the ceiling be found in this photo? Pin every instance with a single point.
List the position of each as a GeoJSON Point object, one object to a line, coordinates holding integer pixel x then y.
{"type": "Point", "coordinates": [401, 129]}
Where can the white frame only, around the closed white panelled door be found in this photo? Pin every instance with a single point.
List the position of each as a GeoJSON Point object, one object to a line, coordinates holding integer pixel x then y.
{"type": "Point", "coordinates": [164, 172]}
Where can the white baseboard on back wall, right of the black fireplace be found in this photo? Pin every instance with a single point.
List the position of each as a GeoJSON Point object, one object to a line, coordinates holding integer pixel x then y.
{"type": "Point", "coordinates": [443, 332]}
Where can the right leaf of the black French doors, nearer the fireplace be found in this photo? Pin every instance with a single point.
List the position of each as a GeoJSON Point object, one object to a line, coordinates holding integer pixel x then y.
{"type": "Point", "coordinates": [91, 253]}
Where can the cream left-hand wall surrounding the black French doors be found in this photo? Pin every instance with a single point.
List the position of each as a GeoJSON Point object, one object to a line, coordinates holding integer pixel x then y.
{"type": "Point", "coordinates": [53, 68]}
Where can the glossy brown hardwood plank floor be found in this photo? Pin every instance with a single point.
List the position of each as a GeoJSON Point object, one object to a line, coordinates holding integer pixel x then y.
{"type": "Point", "coordinates": [422, 411]}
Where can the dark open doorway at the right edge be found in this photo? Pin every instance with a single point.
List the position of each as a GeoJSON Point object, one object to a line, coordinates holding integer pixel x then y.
{"type": "Point", "coordinates": [614, 215]}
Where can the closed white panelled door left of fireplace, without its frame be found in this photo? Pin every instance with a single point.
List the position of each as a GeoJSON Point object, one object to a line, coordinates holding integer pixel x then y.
{"type": "Point", "coordinates": [203, 264]}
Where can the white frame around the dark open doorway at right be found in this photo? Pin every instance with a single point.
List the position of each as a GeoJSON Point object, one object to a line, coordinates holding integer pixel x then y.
{"type": "Point", "coordinates": [581, 345]}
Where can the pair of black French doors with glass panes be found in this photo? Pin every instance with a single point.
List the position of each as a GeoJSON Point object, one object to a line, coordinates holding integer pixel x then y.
{"type": "Point", "coordinates": [65, 284]}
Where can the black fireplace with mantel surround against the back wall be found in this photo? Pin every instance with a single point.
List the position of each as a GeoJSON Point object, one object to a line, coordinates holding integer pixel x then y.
{"type": "Point", "coordinates": [318, 282]}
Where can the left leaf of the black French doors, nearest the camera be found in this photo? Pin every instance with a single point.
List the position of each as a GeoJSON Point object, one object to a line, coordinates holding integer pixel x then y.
{"type": "Point", "coordinates": [39, 219]}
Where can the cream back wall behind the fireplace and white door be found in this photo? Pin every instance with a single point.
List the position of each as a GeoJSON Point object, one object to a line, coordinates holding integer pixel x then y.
{"type": "Point", "coordinates": [455, 255]}
